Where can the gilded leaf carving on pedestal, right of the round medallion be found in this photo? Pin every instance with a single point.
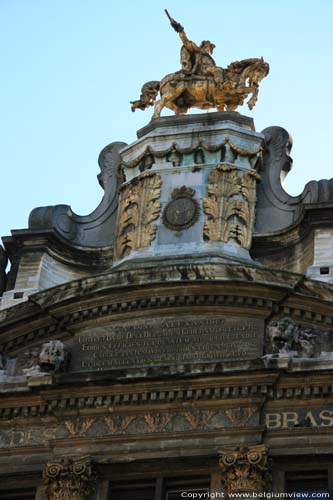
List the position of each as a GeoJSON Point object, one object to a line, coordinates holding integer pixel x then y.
{"type": "Point", "coordinates": [230, 205]}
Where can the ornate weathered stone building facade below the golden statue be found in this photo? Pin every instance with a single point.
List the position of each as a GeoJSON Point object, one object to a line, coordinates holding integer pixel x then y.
{"type": "Point", "coordinates": [178, 338]}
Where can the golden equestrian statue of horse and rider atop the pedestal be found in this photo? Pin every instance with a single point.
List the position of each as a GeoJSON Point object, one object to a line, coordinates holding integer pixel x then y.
{"type": "Point", "coordinates": [200, 83]}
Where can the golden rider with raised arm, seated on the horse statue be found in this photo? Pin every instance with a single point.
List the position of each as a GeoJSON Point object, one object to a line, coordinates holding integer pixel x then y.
{"type": "Point", "coordinates": [197, 60]}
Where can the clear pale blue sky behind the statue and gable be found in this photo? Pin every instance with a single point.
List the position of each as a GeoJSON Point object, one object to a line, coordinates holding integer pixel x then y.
{"type": "Point", "coordinates": [70, 68]}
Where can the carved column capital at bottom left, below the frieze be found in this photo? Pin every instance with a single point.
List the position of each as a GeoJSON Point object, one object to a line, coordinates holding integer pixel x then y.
{"type": "Point", "coordinates": [69, 479]}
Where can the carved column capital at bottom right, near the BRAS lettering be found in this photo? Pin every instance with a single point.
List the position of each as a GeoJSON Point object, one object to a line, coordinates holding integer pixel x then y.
{"type": "Point", "coordinates": [245, 470]}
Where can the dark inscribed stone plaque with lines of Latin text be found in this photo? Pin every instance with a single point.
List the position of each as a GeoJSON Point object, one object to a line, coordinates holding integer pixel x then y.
{"type": "Point", "coordinates": [167, 341]}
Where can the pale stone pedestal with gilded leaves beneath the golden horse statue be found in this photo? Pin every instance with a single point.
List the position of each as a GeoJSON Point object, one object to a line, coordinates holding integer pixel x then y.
{"type": "Point", "coordinates": [189, 191]}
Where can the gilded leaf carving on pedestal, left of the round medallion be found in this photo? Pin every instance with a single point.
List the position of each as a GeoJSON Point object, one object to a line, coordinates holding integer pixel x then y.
{"type": "Point", "coordinates": [139, 207]}
